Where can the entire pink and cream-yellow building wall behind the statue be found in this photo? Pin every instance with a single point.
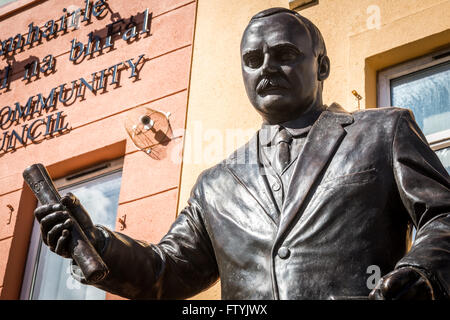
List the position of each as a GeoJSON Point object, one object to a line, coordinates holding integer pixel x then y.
{"type": "Point", "coordinates": [206, 97]}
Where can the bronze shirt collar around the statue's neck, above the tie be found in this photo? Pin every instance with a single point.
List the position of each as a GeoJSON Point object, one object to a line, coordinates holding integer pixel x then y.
{"type": "Point", "coordinates": [296, 127]}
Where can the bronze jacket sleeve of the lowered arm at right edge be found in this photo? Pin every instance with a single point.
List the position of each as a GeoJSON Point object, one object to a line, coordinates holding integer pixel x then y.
{"type": "Point", "coordinates": [424, 187]}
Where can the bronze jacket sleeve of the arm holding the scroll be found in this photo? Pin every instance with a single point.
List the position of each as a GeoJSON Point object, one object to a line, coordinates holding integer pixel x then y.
{"type": "Point", "coordinates": [180, 266]}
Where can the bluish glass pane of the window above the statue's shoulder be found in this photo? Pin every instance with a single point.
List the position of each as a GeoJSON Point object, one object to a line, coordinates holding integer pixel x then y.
{"type": "Point", "coordinates": [427, 94]}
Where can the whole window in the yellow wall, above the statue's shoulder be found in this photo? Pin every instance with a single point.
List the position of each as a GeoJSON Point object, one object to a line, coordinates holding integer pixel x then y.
{"type": "Point", "coordinates": [423, 86]}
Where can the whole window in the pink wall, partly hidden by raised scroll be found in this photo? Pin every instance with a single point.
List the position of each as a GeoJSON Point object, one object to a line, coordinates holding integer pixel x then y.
{"type": "Point", "coordinates": [47, 275]}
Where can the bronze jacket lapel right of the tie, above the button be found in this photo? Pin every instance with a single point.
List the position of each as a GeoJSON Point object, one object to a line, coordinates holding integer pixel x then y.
{"type": "Point", "coordinates": [321, 144]}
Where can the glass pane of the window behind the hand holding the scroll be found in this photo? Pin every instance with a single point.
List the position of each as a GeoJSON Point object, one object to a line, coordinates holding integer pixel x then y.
{"type": "Point", "coordinates": [100, 197]}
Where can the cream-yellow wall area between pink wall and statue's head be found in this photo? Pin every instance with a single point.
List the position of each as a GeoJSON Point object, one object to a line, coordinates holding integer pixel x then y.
{"type": "Point", "coordinates": [218, 105]}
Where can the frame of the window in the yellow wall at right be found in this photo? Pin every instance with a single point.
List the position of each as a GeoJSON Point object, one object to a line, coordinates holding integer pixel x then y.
{"type": "Point", "coordinates": [438, 140]}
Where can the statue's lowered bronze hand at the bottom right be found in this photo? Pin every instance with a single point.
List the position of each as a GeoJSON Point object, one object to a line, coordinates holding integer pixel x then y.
{"type": "Point", "coordinates": [406, 283]}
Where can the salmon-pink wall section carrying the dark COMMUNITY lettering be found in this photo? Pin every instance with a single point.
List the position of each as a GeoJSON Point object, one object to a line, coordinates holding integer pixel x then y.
{"type": "Point", "coordinates": [149, 191]}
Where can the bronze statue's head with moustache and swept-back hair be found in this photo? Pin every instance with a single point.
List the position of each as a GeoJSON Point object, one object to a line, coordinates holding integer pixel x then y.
{"type": "Point", "coordinates": [284, 64]}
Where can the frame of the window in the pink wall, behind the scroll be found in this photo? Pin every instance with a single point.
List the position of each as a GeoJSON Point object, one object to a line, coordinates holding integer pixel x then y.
{"type": "Point", "coordinates": [71, 180]}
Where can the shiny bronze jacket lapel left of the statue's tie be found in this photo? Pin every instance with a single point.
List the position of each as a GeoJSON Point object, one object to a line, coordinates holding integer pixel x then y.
{"type": "Point", "coordinates": [245, 166]}
